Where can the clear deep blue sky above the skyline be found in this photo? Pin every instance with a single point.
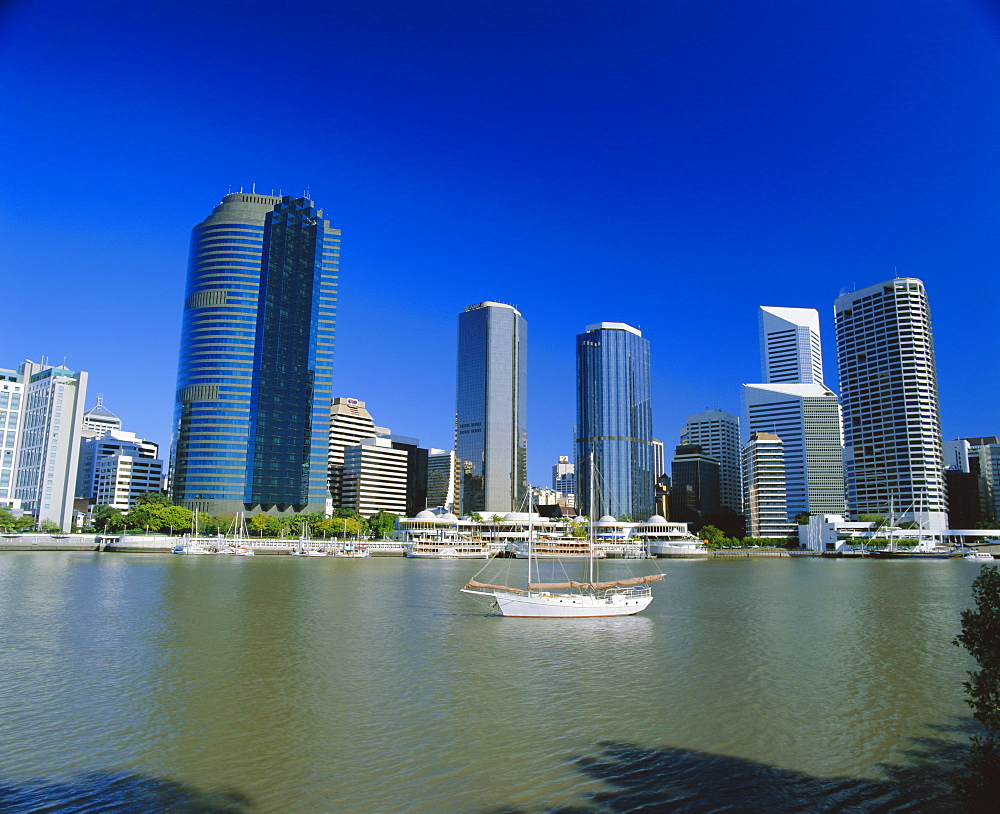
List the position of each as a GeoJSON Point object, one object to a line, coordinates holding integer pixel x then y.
{"type": "Point", "coordinates": [672, 165]}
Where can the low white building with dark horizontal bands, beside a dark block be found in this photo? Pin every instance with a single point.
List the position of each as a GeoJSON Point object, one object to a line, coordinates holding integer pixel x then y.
{"type": "Point", "coordinates": [374, 477]}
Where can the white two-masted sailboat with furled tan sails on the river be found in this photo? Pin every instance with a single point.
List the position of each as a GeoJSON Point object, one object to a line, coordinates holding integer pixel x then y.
{"type": "Point", "coordinates": [569, 598]}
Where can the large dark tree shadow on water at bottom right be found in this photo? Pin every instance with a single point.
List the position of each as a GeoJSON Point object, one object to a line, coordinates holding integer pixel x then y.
{"type": "Point", "coordinates": [672, 779]}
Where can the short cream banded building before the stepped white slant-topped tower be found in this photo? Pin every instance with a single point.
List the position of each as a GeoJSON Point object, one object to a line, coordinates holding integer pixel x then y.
{"type": "Point", "coordinates": [764, 482]}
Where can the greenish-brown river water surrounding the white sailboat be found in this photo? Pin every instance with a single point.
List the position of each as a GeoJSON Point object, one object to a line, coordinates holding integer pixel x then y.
{"type": "Point", "coordinates": [360, 685]}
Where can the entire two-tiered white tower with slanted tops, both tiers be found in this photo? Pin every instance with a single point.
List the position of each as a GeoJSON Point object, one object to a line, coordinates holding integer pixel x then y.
{"type": "Point", "coordinates": [794, 404]}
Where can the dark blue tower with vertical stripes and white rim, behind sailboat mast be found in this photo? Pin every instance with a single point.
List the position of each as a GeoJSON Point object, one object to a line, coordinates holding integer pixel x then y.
{"type": "Point", "coordinates": [614, 422]}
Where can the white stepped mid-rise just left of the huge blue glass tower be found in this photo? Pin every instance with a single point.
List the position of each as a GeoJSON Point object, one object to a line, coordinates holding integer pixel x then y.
{"type": "Point", "coordinates": [117, 467]}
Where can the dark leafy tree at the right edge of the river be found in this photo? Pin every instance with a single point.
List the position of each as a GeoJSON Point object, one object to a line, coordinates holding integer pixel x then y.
{"type": "Point", "coordinates": [979, 788]}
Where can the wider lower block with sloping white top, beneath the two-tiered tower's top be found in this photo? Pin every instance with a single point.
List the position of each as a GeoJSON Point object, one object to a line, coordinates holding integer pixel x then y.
{"type": "Point", "coordinates": [807, 419]}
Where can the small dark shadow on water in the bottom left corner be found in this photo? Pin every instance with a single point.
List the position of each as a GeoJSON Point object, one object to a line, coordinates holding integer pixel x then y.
{"type": "Point", "coordinates": [117, 793]}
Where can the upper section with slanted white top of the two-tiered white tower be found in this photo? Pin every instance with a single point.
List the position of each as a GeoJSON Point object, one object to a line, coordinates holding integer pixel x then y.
{"type": "Point", "coordinates": [790, 349]}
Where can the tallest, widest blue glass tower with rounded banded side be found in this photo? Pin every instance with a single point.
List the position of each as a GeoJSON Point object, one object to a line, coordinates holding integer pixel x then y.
{"type": "Point", "coordinates": [254, 379]}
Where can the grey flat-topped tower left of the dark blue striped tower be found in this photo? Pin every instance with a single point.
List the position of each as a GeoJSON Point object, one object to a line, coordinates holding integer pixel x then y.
{"type": "Point", "coordinates": [491, 428]}
